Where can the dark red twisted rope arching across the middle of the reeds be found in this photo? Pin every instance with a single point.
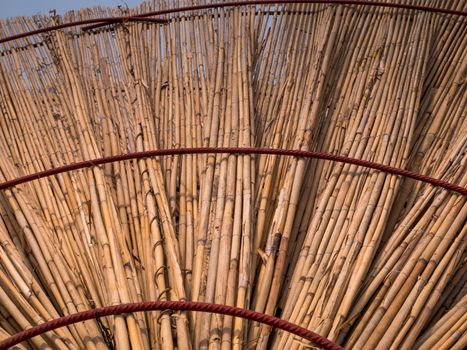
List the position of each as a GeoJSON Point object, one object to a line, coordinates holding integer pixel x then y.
{"type": "Point", "coordinates": [236, 150]}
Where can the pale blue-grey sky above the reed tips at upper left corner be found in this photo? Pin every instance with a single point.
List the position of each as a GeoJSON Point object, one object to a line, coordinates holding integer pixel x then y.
{"type": "Point", "coordinates": [10, 8]}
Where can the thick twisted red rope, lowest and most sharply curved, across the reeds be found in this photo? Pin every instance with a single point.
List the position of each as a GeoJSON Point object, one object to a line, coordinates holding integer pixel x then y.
{"type": "Point", "coordinates": [172, 305]}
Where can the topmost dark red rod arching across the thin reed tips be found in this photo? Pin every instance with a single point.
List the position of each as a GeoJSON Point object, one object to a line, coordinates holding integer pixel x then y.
{"type": "Point", "coordinates": [109, 20]}
